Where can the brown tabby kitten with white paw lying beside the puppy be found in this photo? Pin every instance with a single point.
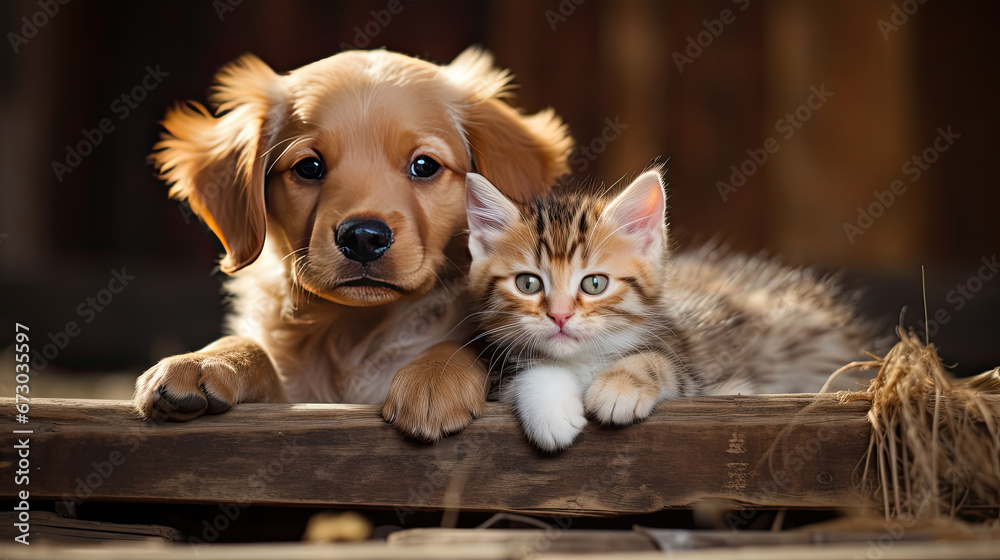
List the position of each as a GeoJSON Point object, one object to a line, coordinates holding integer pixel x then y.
{"type": "Point", "coordinates": [586, 312]}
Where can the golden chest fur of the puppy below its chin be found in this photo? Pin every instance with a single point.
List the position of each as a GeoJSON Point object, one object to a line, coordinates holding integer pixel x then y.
{"type": "Point", "coordinates": [325, 352]}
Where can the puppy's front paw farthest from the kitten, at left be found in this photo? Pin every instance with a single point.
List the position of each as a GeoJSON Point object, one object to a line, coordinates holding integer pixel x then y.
{"type": "Point", "coordinates": [184, 387]}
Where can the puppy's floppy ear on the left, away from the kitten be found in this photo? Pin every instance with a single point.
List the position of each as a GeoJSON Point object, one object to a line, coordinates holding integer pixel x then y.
{"type": "Point", "coordinates": [217, 161]}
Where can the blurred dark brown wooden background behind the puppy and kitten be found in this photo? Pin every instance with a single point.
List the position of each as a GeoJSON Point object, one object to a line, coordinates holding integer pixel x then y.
{"type": "Point", "coordinates": [703, 84]}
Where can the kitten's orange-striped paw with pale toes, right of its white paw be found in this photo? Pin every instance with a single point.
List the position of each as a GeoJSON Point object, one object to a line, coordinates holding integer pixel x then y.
{"type": "Point", "coordinates": [619, 397]}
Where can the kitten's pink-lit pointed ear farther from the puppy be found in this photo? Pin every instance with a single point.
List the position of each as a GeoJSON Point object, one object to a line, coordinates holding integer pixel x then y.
{"type": "Point", "coordinates": [639, 211]}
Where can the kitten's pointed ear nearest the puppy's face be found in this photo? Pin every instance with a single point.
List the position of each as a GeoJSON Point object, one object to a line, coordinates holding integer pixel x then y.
{"type": "Point", "coordinates": [489, 212]}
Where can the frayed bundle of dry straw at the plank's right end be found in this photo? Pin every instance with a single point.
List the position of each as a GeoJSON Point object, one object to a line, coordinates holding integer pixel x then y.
{"type": "Point", "coordinates": [935, 443]}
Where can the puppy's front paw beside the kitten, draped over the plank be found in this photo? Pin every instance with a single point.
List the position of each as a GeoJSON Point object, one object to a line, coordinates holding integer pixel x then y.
{"type": "Point", "coordinates": [430, 399]}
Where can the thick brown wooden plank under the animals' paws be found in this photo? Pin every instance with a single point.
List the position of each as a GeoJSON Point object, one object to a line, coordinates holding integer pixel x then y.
{"type": "Point", "coordinates": [346, 455]}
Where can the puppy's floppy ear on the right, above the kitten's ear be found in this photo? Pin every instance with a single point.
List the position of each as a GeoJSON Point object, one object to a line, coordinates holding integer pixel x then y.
{"type": "Point", "coordinates": [521, 154]}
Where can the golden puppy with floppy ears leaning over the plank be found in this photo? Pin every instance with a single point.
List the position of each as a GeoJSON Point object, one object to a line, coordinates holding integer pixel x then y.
{"type": "Point", "coordinates": [338, 191]}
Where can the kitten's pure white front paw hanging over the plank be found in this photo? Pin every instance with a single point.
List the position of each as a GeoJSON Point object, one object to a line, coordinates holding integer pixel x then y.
{"type": "Point", "coordinates": [550, 405]}
